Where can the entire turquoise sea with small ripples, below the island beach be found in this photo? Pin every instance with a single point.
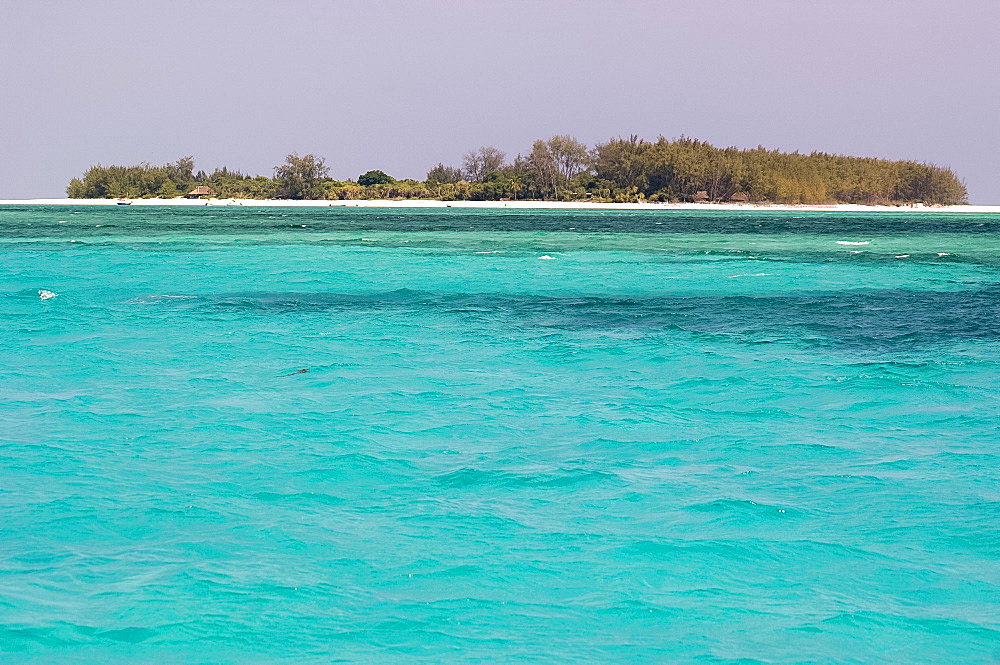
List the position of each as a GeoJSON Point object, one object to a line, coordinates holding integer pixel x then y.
{"type": "Point", "coordinates": [583, 436]}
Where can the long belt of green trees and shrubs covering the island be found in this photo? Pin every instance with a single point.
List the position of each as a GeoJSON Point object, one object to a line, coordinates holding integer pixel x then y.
{"type": "Point", "coordinates": [564, 169]}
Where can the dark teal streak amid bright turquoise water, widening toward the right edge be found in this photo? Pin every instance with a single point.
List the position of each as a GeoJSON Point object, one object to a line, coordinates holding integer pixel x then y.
{"type": "Point", "coordinates": [885, 318]}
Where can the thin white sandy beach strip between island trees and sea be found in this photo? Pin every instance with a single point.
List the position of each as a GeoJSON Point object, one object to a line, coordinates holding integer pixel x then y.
{"type": "Point", "coordinates": [510, 205]}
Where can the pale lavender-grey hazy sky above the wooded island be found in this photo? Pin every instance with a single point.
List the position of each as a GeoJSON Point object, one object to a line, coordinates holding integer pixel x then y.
{"type": "Point", "coordinates": [401, 86]}
